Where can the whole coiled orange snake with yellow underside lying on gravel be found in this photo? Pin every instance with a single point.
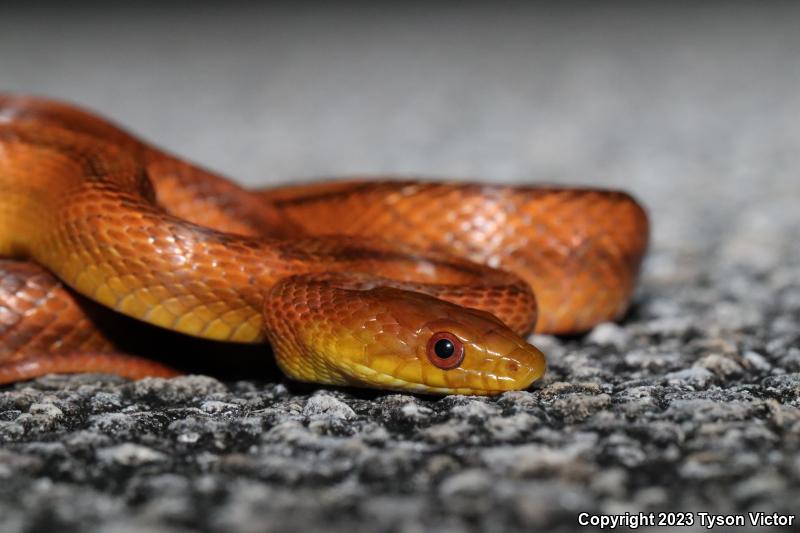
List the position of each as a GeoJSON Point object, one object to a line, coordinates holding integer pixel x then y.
{"type": "Point", "coordinates": [392, 283]}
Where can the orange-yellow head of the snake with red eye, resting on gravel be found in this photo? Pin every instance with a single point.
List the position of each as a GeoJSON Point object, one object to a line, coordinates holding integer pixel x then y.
{"type": "Point", "coordinates": [369, 335]}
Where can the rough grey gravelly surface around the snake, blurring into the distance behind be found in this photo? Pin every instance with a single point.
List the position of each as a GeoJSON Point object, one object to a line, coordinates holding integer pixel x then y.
{"type": "Point", "coordinates": [691, 403]}
